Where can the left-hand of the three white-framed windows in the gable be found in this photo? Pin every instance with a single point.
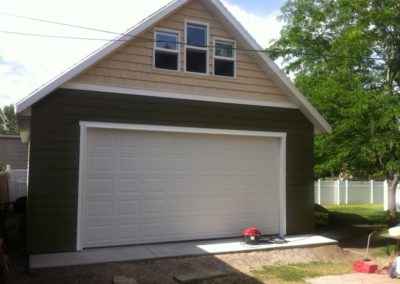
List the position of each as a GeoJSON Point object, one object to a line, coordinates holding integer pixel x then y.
{"type": "Point", "coordinates": [166, 50]}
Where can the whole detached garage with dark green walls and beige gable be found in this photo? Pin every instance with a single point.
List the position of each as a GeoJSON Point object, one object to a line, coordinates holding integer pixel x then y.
{"type": "Point", "coordinates": [178, 133]}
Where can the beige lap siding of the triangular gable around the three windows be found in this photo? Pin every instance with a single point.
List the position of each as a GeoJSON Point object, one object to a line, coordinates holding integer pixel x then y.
{"type": "Point", "coordinates": [131, 66]}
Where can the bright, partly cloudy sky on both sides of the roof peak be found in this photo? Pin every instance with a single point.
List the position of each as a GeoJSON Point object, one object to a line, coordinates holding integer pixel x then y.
{"type": "Point", "coordinates": [27, 62]}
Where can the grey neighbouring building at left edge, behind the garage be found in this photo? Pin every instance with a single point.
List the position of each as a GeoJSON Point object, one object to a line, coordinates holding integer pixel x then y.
{"type": "Point", "coordinates": [13, 152]}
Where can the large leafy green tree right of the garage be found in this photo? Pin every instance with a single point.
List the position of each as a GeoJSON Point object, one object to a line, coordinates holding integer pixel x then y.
{"type": "Point", "coordinates": [345, 57]}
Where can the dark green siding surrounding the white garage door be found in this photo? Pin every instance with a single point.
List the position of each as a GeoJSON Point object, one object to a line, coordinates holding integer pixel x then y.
{"type": "Point", "coordinates": [55, 152]}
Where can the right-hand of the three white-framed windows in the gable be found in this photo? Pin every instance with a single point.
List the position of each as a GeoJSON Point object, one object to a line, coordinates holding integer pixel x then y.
{"type": "Point", "coordinates": [224, 58]}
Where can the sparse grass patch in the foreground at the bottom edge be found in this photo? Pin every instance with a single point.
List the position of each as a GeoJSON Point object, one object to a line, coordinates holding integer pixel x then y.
{"type": "Point", "coordinates": [297, 273]}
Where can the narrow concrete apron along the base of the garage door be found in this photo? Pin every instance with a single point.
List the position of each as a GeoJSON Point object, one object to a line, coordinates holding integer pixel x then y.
{"type": "Point", "coordinates": [168, 250]}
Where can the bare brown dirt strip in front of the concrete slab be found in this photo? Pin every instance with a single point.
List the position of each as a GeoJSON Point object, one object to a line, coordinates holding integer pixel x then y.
{"type": "Point", "coordinates": [238, 266]}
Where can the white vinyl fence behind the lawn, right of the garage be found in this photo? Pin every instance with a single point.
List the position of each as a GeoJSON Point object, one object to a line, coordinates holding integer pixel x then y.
{"type": "Point", "coordinates": [328, 192]}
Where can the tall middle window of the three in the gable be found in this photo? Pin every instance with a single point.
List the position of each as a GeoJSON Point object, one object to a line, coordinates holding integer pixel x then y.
{"type": "Point", "coordinates": [197, 48]}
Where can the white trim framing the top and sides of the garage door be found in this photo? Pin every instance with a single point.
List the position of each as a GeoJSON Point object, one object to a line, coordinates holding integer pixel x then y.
{"type": "Point", "coordinates": [84, 125]}
